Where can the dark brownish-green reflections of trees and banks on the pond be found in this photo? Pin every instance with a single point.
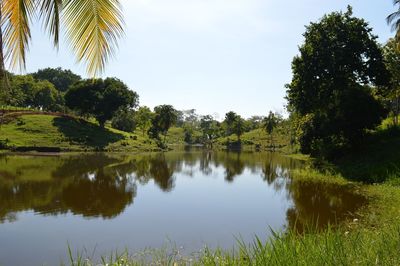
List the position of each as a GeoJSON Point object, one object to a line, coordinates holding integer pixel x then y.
{"type": "Point", "coordinates": [103, 185]}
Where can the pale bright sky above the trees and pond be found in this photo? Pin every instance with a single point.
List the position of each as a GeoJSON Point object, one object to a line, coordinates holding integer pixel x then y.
{"type": "Point", "coordinates": [214, 56]}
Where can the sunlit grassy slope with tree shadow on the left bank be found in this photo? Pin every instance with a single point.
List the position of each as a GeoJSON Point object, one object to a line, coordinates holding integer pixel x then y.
{"type": "Point", "coordinates": [41, 132]}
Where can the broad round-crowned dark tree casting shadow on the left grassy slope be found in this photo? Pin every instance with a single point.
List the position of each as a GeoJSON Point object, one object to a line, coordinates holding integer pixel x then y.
{"type": "Point", "coordinates": [100, 98]}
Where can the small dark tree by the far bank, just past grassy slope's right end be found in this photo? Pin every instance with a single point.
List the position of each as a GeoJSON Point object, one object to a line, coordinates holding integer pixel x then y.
{"type": "Point", "coordinates": [165, 116]}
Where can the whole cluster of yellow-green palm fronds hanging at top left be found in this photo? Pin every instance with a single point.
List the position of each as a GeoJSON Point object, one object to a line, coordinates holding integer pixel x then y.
{"type": "Point", "coordinates": [91, 27]}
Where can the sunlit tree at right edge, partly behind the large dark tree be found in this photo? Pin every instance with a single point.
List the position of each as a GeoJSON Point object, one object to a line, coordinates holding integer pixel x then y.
{"type": "Point", "coordinates": [392, 61]}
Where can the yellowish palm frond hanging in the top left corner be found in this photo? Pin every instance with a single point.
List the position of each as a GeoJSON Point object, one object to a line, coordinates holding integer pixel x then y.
{"type": "Point", "coordinates": [17, 15]}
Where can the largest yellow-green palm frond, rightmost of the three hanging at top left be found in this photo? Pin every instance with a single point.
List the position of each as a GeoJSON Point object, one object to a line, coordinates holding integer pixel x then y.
{"type": "Point", "coordinates": [93, 28]}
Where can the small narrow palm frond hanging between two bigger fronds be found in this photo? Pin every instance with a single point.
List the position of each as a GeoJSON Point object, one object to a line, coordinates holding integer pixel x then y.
{"type": "Point", "coordinates": [50, 13]}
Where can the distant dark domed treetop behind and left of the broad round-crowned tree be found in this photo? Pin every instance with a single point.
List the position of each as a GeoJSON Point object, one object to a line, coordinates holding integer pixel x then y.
{"type": "Point", "coordinates": [61, 79]}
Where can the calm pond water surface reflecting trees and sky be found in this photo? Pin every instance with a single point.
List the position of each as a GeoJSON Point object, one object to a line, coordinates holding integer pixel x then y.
{"type": "Point", "coordinates": [105, 202]}
